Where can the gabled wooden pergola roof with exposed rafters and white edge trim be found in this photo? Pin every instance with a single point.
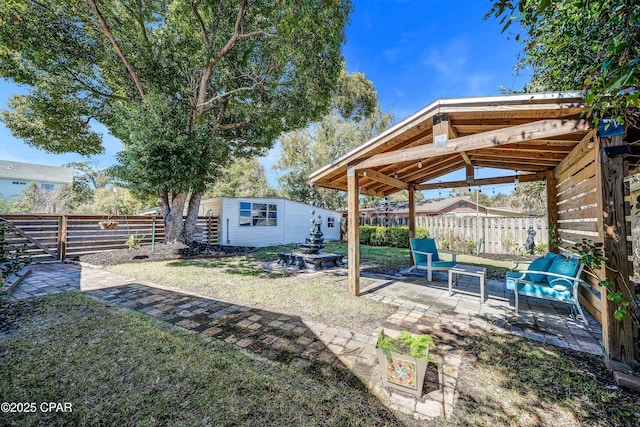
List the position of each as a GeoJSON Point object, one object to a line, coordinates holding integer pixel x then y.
{"type": "Point", "coordinates": [529, 133]}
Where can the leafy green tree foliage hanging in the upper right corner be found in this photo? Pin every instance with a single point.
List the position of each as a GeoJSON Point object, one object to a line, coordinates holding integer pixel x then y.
{"type": "Point", "coordinates": [593, 45]}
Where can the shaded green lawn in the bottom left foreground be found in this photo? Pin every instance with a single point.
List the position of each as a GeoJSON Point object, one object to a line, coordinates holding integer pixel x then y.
{"type": "Point", "coordinates": [129, 369]}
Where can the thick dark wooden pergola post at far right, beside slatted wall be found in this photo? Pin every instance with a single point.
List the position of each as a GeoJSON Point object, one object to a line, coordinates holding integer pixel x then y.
{"type": "Point", "coordinates": [617, 335]}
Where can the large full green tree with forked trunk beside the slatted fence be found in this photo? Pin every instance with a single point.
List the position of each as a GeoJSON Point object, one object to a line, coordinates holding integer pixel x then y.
{"type": "Point", "coordinates": [185, 85]}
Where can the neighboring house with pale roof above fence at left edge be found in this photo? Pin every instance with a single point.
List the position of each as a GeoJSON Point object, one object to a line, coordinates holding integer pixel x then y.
{"type": "Point", "coordinates": [16, 176]}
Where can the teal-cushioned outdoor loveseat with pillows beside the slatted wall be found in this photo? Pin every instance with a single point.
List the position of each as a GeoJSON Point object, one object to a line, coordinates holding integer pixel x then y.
{"type": "Point", "coordinates": [552, 277]}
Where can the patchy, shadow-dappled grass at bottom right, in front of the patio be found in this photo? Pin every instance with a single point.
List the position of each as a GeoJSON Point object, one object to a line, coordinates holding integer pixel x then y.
{"type": "Point", "coordinates": [513, 381]}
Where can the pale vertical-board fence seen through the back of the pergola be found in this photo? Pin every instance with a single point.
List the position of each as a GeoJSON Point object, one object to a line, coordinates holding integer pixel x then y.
{"type": "Point", "coordinates": [497, 235]}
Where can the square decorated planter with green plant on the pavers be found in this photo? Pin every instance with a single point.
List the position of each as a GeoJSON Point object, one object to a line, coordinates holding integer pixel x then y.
{"type": "Point", "coordinates": [403, 360]}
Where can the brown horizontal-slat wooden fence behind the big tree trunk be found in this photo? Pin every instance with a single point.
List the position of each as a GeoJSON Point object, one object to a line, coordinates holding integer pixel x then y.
{"type": "Point", "coordinates": [57, 237]}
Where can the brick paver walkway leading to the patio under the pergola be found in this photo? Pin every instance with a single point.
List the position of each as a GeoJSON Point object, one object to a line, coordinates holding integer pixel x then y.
{"type": "Point", "coordinates": [336, 354]}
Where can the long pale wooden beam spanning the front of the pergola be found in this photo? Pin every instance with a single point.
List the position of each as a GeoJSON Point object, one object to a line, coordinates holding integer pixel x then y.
{"type": "Point", "coordinates": [520, 133]}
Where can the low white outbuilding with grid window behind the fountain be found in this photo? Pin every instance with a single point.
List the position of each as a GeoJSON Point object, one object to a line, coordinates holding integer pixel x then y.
{"type": "Point", "coordinates": [263, 221]}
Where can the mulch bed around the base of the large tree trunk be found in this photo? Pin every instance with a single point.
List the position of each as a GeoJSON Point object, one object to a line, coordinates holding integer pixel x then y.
{"type": "Point", "coordinates": [162, 252]}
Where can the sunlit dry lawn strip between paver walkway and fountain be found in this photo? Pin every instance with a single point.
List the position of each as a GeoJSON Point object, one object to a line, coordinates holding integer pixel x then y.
{"type": "Point", "coordinates": [238, 280]}
